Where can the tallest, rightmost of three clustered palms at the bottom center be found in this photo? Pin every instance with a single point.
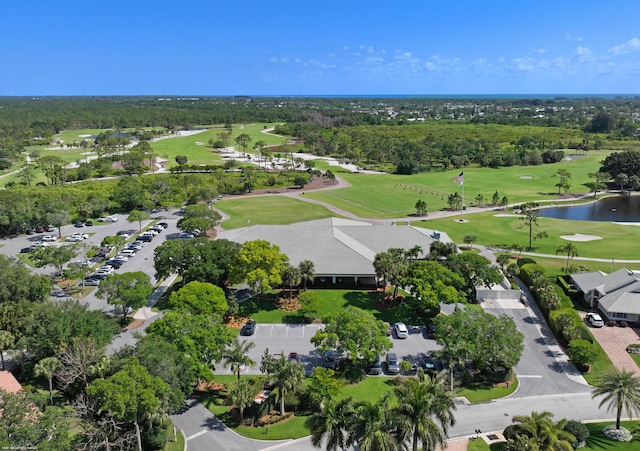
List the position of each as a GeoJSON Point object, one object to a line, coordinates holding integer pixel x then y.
{"type": "Point", "coordinates": [427, 407]}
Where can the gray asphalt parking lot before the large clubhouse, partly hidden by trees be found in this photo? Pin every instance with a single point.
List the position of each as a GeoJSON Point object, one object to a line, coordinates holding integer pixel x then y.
{"type": "Point", "coordinates": [285, 338]}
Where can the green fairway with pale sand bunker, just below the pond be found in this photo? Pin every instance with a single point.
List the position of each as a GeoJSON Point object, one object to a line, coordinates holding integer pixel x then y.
{"type": "Point", "coordinates": [493, 229]}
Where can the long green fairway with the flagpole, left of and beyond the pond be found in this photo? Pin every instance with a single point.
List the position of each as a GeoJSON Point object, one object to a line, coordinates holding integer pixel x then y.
{"type": "Point", "coordinates": [394, 196]}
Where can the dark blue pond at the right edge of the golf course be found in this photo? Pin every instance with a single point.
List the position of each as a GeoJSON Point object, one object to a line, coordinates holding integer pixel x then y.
{"type": "Point", "coordinates": [616, 208]}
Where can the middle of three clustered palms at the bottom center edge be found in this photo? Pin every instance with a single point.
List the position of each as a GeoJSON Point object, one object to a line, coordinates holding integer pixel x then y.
{"type": "Point", "coordinates": [375, 427]}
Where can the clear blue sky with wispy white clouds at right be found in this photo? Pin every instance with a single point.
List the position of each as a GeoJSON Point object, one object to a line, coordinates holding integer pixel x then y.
{"type": "Point", "coordinates": [302, 47]}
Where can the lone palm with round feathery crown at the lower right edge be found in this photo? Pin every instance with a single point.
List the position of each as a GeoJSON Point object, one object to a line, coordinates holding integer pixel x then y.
{"type": "Point", "coordinates": [621, 390]}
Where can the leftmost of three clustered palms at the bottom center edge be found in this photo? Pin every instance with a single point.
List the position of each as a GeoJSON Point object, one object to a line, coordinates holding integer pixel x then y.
{"type": "Point", "coordinates": [331, 423]}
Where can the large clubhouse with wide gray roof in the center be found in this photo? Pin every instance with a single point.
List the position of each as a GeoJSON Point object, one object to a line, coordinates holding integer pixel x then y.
{"type": "Point", "coordinates": [342, 250]}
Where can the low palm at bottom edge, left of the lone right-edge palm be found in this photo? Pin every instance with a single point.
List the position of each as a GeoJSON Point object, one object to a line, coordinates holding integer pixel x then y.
{"type": "Point", "coordinates": [544, 433]}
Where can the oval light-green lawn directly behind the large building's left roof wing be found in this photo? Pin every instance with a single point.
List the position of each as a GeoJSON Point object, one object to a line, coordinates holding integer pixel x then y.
{"type": "Point", "coordinates": [269, 210]}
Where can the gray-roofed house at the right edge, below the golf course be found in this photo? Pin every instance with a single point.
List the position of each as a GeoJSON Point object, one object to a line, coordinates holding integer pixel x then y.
{"type": "Point", "coordinates": [617, 295]}
